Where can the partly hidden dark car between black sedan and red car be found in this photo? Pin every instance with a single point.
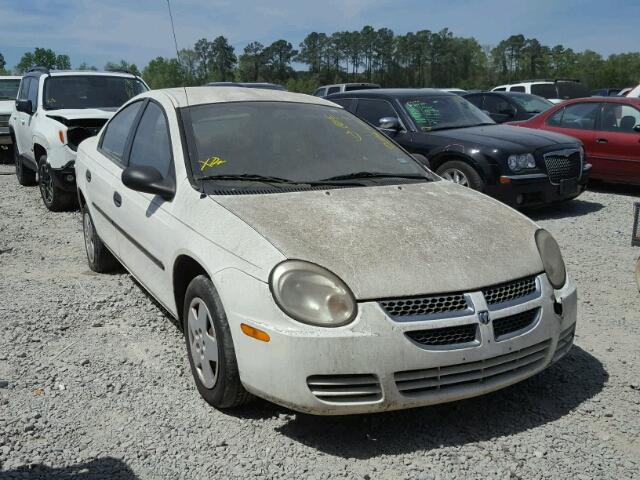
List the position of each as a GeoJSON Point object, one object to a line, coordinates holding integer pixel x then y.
{"type": "Point", "coordinates": [509, 106]}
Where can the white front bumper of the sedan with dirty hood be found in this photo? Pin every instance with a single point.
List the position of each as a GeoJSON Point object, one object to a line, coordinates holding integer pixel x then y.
{"type": "Point", "coordinates": [372, 366]}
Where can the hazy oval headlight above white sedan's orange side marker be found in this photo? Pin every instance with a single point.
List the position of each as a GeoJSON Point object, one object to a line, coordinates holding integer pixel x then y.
{"type": "Point", "coordinates": [312, 294]}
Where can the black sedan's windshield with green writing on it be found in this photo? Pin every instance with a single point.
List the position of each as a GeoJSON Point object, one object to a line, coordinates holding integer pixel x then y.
{"type": "Point", "coordinates": [444, 111]}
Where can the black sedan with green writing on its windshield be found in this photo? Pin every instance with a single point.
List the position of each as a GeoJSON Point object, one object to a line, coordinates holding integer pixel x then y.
{"type": "Point", "coordinates": [519, 166]}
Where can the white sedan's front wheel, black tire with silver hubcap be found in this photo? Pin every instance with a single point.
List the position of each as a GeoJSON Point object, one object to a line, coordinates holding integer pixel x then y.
{"type": "Point", "coordinates": [210, 346]}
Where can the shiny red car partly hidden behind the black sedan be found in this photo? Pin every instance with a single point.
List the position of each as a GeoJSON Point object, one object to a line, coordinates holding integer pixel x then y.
{"type": "Point", "coordinates": [609, 128]}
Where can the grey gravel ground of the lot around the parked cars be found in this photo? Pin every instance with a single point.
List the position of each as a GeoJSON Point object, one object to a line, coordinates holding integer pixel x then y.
{"type": "Point", "coordinates": [94, 379]}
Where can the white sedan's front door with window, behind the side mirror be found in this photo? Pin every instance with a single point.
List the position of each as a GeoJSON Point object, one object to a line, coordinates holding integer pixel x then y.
{"type": "Point", "coordinates": [145, 218]}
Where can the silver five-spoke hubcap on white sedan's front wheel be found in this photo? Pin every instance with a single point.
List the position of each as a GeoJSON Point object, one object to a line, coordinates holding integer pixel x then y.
{"type": "Point", "coordinates": [203, 345]}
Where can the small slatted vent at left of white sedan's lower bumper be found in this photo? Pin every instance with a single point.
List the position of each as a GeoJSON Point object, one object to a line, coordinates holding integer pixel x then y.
{"type": "Point", "coordinates": [345, 388]}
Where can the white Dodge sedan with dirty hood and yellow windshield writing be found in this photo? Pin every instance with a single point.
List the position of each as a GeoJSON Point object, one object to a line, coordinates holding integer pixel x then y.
{"type": "Point", "coordinates": [313, 262]}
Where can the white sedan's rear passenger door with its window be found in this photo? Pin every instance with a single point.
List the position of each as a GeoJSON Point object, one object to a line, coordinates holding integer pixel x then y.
{"type": "Point", "coordinates": [103, 171]}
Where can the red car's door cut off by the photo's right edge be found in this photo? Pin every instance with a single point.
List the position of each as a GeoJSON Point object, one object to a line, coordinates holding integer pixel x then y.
{"type": "Point", "coordinates": [616, 151]}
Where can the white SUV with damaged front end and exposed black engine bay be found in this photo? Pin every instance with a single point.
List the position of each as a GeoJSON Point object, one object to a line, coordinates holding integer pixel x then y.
{"type": "Point", "coordinates": [54, 112]}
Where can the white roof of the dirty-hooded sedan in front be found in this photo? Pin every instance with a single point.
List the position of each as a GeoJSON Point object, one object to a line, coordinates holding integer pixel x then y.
{"type": "Point", "coordinates": [189, 96]}
